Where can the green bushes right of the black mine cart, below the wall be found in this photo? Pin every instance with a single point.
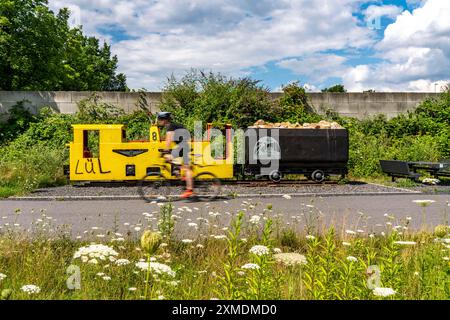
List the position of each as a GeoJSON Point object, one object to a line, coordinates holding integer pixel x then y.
{"type": "Point", "coordinates": [419, 135]}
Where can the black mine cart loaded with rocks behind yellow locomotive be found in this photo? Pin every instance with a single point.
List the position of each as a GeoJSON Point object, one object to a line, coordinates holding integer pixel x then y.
{"type": "Point", "coordinates": [315, 153]}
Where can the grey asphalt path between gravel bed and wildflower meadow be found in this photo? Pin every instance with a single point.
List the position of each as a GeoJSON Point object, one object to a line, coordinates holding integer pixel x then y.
{"type": "Point", "coordinates": [103, 218]}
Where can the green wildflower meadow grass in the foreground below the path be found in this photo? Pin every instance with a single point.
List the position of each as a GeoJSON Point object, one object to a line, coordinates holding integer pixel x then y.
{"type": "Point", "coordinates": [338, 263]}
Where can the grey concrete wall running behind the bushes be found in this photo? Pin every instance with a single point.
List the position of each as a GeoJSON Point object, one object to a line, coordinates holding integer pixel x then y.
{"type": "Point", "coordinates": [359, 105]}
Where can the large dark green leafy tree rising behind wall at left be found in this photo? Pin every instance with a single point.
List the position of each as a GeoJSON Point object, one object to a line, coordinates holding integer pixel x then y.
{"type": "Point", "coordinates": [39, 51]}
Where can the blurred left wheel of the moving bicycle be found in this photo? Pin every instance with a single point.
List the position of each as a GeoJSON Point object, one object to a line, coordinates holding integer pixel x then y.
{"type": "Point", "coordinates": [154, 190]}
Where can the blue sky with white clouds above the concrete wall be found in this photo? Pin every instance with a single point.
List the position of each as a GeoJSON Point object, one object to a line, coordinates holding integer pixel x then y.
{"type": "Point", "coordinates": [386, 45]}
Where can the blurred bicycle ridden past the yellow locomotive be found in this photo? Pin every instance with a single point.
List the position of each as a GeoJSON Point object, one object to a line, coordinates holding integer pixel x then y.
{"type": "Point", "coordinates": [159, 188]}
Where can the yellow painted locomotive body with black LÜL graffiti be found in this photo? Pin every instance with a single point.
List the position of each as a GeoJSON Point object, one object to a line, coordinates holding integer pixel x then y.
{"type": "Point", "coordinates": [114, 154]}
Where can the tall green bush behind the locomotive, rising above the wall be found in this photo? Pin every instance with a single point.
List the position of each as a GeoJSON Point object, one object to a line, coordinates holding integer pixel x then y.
{"type": "Point", "coordinates": [214, 98]}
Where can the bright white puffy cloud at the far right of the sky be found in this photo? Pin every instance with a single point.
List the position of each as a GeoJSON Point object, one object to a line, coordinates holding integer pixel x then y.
{"type": "Point", "coordinates": [415, 50]}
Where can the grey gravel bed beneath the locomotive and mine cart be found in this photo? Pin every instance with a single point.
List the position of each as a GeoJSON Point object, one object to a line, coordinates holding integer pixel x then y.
{"type": "Point", "coordinates": [131, 190]}
